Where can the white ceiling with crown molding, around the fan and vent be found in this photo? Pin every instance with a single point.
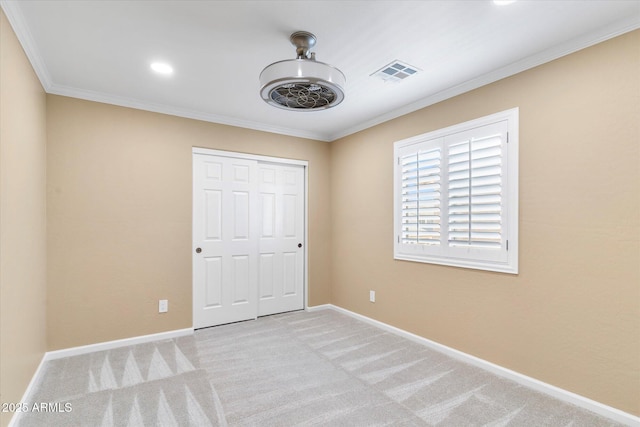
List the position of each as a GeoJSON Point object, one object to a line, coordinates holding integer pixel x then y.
{"type": "Point", "coordinates": [101, 51]}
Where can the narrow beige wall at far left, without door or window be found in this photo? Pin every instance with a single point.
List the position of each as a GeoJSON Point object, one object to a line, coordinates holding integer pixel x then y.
{"type": "Point", "coordinates": [23, 259]}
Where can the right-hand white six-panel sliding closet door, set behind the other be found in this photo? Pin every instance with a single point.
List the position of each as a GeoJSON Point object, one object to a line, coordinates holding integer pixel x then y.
{"type": "Point", "coordinates": [281, 238]}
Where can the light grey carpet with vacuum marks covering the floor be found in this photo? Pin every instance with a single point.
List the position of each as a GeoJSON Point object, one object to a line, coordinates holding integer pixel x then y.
{"type": "Point", "coordinates": [295, 369]}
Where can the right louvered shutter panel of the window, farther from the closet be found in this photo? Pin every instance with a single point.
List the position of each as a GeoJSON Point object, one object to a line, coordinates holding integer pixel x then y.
{"type": "Point", "coordinates": [475, 192]}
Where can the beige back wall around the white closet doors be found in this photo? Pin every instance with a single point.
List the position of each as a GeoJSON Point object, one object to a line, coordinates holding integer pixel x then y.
{"type": "Point", "coordinates": [119, 216]}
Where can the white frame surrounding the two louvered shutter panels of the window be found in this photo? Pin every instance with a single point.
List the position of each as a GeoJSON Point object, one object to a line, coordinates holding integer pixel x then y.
{"type": "Point", "coordinates": [503, 259]}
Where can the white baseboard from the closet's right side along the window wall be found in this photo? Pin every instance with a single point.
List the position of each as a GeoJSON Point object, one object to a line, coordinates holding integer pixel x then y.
{"type": "Point", "coordinates": [548, 389]}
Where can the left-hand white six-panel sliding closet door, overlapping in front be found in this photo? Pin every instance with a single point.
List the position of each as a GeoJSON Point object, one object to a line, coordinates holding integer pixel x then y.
{"type": "Point", "coordinates": [225, 238]}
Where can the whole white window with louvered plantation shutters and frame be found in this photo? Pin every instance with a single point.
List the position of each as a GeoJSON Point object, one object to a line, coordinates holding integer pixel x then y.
{"type": "Point", "coordinates": [456, 195]}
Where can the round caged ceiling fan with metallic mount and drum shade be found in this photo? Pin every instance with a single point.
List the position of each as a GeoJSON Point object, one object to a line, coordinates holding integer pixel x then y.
{"type": "Point", "coordinates": [302, 84]}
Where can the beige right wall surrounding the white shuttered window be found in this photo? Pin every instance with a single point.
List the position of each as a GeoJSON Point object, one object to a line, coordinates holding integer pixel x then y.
{"type": "Point", "coordinates": [571, 317]}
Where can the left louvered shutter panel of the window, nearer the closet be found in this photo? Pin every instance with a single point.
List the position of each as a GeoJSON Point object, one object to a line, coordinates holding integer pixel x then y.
{"type": "Point", "coordinates": [421, 197]}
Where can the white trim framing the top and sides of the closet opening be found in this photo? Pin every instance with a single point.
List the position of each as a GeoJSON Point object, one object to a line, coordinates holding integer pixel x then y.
{"type": "Point", "coordinates": [269, 159]}
